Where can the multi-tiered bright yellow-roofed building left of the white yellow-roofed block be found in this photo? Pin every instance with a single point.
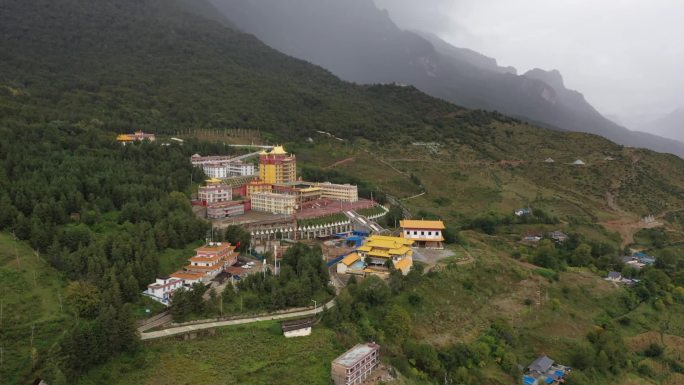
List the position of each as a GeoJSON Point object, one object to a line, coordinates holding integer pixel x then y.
{"type": "Point", "coordinates": [378, 249]}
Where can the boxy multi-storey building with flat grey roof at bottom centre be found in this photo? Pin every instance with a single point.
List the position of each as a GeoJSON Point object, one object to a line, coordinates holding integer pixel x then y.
{"type": "Point", "coordinates": [356, 365]}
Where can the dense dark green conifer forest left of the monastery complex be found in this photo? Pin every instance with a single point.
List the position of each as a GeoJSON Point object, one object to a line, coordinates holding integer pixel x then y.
{"type": "Point", "coordinates": [100, 213]}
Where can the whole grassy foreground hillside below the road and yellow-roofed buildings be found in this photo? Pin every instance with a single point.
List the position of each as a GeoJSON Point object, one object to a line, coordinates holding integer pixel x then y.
{"type": "Point", "coordinates": [451, 308]}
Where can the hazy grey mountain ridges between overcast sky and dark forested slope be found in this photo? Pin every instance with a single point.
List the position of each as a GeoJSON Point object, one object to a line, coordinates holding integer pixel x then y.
{"type": "Point", "coordinates": [360, 43]}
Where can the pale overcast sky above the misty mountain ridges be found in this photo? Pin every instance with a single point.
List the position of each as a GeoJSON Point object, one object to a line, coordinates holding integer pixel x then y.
{"type": "Point", "coordinates": [625, 56]}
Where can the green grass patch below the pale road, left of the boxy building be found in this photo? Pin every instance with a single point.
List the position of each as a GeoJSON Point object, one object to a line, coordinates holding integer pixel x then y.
{"type": "Point", "coordinates": [251, 354]}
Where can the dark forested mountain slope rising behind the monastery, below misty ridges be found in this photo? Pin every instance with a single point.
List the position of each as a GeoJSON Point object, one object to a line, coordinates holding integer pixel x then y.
{"type": "Point", "coordinates": [153, 65]}
